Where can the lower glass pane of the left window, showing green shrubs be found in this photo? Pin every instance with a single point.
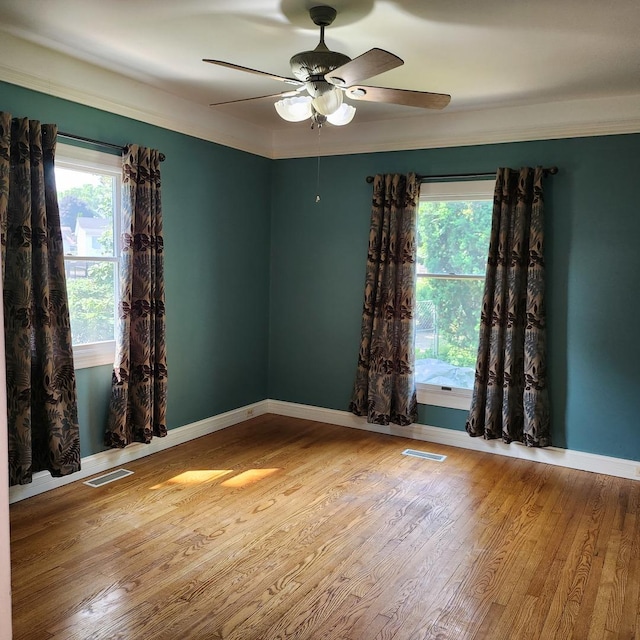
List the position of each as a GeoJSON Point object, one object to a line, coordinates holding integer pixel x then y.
{"type": "Point", "coordinates": [91, 290]}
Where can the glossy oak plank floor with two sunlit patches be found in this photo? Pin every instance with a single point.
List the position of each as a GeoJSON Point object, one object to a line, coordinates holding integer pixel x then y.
{"type": "Point", "coordinates": [283, 528]}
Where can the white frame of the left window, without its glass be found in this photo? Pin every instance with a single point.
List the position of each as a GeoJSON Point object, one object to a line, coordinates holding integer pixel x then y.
{"type": "Point", "coordinates": [82, 159]}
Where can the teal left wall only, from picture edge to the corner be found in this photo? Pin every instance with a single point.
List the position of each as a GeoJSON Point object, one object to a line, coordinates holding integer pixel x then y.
{"type": "Point", "coordinates": [216, 262]}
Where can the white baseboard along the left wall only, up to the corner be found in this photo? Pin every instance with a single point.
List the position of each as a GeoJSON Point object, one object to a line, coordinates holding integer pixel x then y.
{"type": "Point", "coordinates": [105, 460]}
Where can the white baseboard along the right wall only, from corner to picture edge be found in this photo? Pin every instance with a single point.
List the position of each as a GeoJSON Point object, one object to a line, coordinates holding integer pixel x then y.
{"type": "Point", "coordinates": [550, 455]}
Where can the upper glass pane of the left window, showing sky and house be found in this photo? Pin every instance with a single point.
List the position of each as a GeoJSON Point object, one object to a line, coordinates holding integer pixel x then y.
{"type": "Point", "coordinates": [86, 202]}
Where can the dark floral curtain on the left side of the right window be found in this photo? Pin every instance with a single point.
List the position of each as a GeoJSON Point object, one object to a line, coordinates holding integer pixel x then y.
{"type": "Point", "coordinates": [384, 389]}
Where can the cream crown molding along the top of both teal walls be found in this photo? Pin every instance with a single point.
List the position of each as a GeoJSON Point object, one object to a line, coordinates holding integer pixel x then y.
{"type": "Point", "coordinates": [34, 67]}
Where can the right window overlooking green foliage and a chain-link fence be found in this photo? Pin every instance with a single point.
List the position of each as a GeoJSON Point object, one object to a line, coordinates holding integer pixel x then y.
{"type": "Point", "coordinates": [454, 227]}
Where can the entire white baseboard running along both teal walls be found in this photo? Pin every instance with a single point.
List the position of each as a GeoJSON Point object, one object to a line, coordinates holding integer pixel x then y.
{"type": "Point", "coordinates": [105, 460]}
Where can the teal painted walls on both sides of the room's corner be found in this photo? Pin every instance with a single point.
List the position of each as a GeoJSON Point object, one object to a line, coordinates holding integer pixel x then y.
{"type": "Point", "coordinates": [264, 294]}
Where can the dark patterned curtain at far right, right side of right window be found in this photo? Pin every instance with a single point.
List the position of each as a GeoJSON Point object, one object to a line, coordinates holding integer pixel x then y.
{"type": "Point", "coordinates": [510, 397]}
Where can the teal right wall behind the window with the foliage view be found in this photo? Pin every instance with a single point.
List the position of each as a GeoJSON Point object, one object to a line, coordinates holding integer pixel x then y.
{"type": "Point", "coordinates": [318, 256]}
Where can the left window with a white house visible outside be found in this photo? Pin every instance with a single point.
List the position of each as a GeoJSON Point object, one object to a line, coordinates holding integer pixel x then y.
{"type": "Point", "coordinates": [88, 184]}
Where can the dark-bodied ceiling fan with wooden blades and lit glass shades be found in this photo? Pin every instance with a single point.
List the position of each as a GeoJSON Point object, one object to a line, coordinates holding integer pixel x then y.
{"type": "Point", "coordinates": [324, 77]}
